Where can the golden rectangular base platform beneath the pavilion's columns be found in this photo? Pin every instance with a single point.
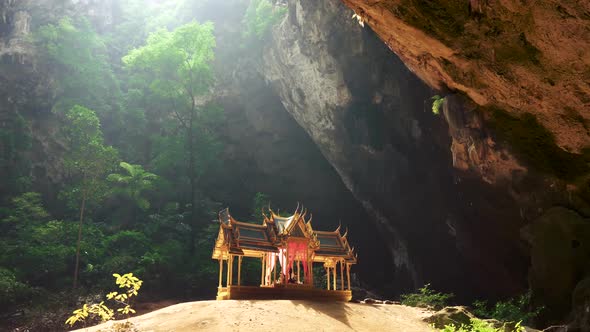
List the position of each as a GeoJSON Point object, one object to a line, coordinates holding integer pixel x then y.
{"type": "Point", "coordinates": [281, 293]}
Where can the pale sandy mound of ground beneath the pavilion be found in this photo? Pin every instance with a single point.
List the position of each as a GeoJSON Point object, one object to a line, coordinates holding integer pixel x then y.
{"type": "Point", "coordinates": [276, 315]}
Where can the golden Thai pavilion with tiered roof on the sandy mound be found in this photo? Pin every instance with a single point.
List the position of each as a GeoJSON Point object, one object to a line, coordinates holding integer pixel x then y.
{"type": "Point", "coordinates": [289, 250]}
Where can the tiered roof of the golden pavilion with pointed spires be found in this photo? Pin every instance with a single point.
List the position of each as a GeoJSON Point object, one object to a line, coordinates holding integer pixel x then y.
{"type": "Point", "coordinates": [241, 238]}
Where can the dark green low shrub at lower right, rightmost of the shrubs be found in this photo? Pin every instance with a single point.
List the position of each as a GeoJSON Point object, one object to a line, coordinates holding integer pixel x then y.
{"type": "Point", "coordinates": [512, 310]}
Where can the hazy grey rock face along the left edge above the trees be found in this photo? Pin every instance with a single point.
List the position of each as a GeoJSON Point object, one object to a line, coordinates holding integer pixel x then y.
{"type": "Point", "coordinates": [24, 92]}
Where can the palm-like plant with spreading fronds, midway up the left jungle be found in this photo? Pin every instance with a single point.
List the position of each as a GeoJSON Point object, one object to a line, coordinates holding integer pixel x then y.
{"type": "Point", "coordinates": [134, 183]}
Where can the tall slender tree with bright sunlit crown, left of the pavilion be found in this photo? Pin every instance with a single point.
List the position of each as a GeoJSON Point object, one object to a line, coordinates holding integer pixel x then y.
{"type": "Point", "coordinates": [177, 67]}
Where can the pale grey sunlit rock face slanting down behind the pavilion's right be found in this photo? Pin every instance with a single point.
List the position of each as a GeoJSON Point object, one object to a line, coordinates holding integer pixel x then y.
{"type": "Point", "coordinates": [313, 87]}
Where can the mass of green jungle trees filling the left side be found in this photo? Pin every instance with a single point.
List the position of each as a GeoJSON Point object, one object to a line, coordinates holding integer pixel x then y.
{"type": "Point", "coordinates": [144, 107]}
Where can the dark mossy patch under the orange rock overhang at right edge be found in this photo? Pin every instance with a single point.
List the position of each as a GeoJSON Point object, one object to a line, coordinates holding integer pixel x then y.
{"type": "Point", "coordinates": [535, 145]}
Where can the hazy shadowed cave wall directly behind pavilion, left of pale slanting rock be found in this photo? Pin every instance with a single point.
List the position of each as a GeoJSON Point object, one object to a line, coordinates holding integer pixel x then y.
{"type": "Point", "coordinates": [265, 150]}
